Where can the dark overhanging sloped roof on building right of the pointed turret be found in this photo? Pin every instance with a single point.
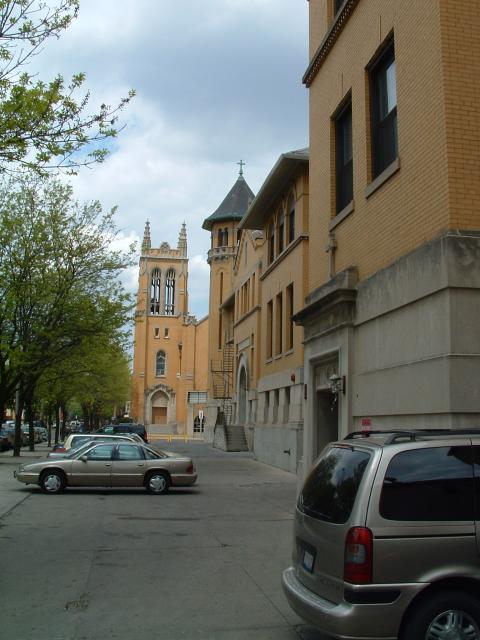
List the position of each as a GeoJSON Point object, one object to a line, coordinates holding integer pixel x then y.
{"type": "Point", "coordinates": [276, 180]}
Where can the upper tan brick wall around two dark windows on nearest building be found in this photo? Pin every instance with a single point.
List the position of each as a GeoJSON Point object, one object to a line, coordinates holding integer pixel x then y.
{"type": "Point", "coordinates": [412, 206]}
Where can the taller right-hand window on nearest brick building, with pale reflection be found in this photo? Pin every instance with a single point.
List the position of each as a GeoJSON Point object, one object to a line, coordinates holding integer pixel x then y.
{"type": "Point", "coordinates": [383, 88]}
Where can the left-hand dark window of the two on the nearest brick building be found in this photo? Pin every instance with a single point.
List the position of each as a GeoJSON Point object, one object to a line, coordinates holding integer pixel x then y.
{"type": "Point", "coordinates": [344, 157]}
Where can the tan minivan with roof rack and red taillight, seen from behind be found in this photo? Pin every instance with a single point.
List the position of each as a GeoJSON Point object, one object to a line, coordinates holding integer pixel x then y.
{"type": "Point", "coordinates": [386, 537]}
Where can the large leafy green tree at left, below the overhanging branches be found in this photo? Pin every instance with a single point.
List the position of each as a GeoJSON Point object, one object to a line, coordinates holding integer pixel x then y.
{"type": "Point", "coordinates": [59, 281]}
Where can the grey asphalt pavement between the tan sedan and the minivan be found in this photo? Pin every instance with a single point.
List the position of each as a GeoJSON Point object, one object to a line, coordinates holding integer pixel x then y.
{"type": "Point", "coordinates": [199, 563]}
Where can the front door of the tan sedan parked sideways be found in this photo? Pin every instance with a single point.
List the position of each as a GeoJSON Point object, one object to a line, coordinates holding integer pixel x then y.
{"type": "Point", "coordinates": [94, 467]}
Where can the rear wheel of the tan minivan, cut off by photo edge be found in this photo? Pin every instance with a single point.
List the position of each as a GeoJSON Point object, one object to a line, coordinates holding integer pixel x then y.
{"type": "Point", "coordinates": [442, 614]}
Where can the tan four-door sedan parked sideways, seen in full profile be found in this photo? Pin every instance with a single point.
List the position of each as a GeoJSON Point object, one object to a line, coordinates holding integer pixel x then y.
{"type": "Point", "coordinates": [111, 464]}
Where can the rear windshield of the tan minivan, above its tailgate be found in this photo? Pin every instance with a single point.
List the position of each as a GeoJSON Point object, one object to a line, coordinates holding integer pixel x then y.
{"type": "Point", "coordinates": [330, 490]}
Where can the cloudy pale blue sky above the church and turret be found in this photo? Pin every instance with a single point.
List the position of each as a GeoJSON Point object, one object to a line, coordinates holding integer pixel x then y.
{"type": "Point", "coordinates": [217, 81]}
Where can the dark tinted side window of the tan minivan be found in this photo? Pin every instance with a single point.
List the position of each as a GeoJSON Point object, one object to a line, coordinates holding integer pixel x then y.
{"type": "Point", "coordinates": [429, 485]}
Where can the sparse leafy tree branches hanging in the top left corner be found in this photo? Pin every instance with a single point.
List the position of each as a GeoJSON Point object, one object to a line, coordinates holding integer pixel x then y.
{"type": "Point", "coordinates": [44, 125]}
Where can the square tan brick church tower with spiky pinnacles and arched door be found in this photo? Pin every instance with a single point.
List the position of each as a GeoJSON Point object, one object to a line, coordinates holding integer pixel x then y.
{"type": "Point", "coordinates": [167, 340]}
